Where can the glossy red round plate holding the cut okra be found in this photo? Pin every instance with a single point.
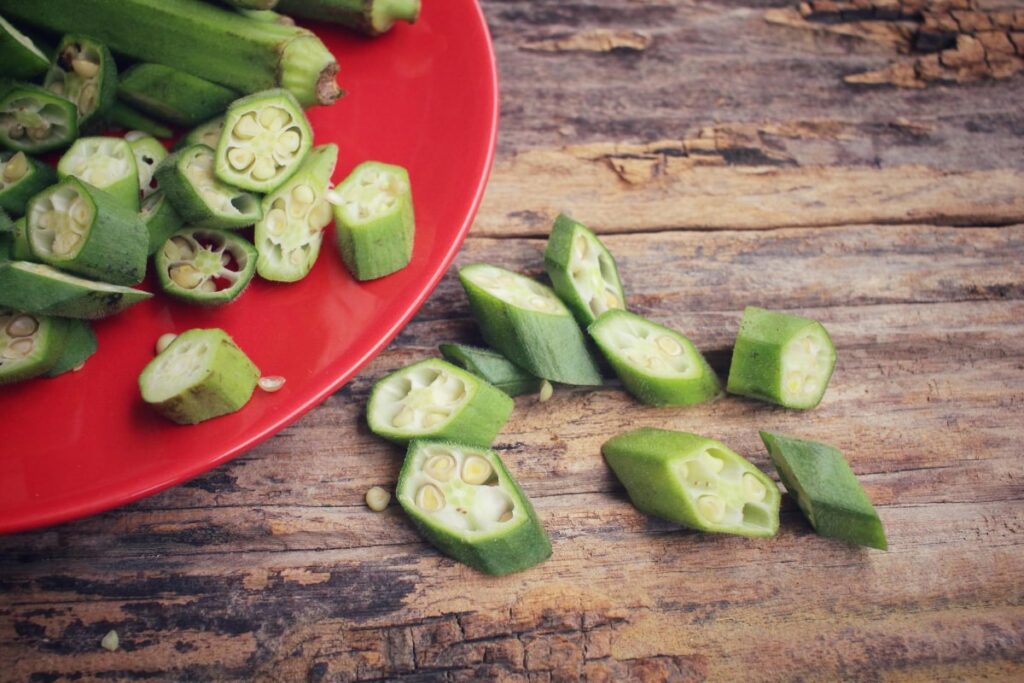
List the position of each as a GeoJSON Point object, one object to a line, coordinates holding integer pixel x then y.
{"type": "Point", "coordinates": [424, 97]}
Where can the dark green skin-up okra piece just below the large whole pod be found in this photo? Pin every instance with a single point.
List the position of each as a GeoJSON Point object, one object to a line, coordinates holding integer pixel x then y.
{"type": "Point", "coordinates": [174, 96]}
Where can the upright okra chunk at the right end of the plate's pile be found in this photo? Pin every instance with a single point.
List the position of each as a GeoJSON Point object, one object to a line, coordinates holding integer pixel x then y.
{"type": "Point", "coordinates": [374, 221]}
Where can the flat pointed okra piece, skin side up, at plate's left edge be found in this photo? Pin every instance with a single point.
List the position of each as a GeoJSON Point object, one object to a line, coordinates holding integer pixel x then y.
{"type": "Point", "coordinates": [40, 289]}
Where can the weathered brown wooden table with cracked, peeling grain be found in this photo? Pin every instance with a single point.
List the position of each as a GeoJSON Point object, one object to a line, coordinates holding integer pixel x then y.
{"type": "Point", "coordinates": [733, 153]}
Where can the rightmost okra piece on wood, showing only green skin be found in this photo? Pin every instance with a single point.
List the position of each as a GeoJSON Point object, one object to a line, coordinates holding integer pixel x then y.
{"type": "Point", "coordinates": [827, 490]}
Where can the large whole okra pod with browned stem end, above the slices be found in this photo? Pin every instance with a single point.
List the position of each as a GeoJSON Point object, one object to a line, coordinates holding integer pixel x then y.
{"type": "Point", "coordinates": [211, 42]}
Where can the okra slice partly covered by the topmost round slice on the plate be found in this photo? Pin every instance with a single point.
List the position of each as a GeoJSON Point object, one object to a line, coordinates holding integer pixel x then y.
{"type": "Point", "coordinates": [201, 199]}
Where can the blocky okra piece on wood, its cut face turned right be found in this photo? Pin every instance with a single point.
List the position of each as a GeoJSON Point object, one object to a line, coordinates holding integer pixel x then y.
{"type": "Point", "coordinates": [783, 359]}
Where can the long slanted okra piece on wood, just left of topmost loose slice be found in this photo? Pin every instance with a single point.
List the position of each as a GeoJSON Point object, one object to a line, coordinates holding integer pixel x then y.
{"type": "Point", "coordinates": [529, 325]}
